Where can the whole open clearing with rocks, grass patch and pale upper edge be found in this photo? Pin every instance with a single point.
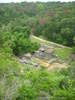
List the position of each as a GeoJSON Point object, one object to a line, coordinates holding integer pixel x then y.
{"type": "Point", "coordinates": [50, 55]}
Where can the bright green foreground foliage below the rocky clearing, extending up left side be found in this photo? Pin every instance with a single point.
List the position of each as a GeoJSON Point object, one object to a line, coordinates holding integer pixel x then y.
{"type": "Point", "coordinates": [34, 83]}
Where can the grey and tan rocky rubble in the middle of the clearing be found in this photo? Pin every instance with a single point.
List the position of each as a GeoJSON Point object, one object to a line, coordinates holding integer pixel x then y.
{"type": "Point", "coordinates": [45, 54]}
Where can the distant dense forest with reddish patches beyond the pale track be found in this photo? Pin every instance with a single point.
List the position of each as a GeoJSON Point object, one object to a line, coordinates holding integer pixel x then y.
{"type": "Point", "coordinates": [53, 20]}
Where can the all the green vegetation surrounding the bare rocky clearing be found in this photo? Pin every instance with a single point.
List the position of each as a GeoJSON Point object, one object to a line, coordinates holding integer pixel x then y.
{"type": "Point", "coordinates": [52, 21]}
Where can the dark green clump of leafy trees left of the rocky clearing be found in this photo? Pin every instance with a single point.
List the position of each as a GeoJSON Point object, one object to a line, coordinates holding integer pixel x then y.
{"type": "Point", "coordinates": [18, 39]}
